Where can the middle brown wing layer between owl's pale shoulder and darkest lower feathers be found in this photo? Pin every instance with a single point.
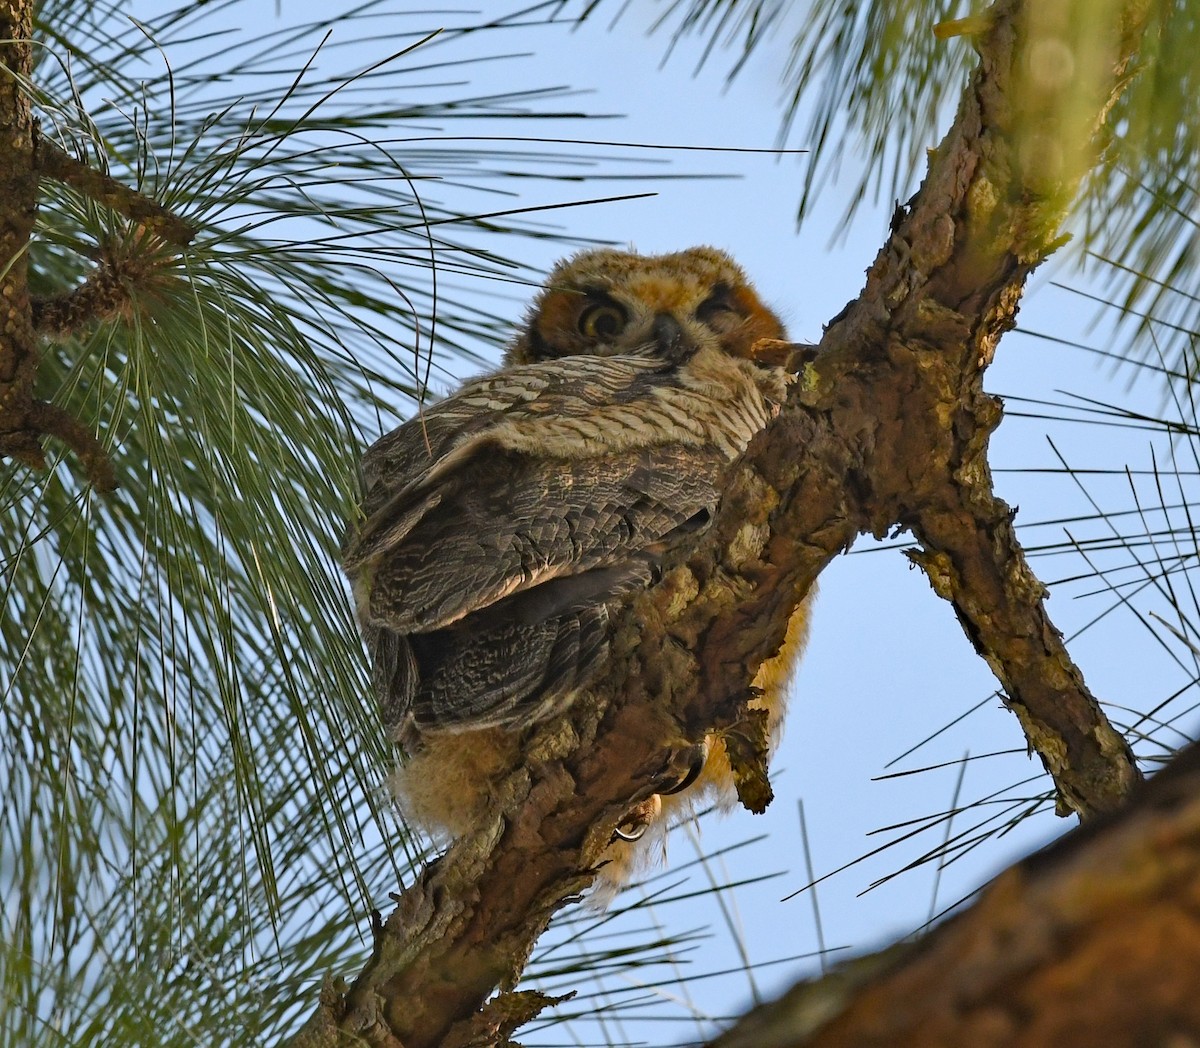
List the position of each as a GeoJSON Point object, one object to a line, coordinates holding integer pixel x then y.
{"type": "Point", "coordinates": [506, 523]}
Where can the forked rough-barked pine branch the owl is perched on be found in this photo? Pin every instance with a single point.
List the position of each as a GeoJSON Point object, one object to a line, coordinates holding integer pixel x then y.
{"type": "Point", "coordinates": [889, 427]}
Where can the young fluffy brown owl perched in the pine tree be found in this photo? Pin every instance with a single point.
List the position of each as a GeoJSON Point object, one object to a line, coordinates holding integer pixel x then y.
{"type": "Point", "coordinates": [502, 526]}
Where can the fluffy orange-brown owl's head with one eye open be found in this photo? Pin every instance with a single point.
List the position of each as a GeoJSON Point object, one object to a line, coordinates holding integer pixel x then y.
{"type": "Point", "coordinates": [608, 303]}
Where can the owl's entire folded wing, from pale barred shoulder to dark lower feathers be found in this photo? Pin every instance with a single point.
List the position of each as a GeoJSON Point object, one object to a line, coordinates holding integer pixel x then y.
{"type": "Point", "coordinates": [501, 523]}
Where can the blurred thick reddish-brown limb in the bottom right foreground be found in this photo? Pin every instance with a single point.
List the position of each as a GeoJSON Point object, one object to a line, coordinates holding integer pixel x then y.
{"type": "Point", "coordinates": [1094, 942]}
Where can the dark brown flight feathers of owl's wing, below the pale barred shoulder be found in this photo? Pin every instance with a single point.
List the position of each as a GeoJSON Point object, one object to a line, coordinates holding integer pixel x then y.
{"type": "Point", "coordinates": [494, 608]}
